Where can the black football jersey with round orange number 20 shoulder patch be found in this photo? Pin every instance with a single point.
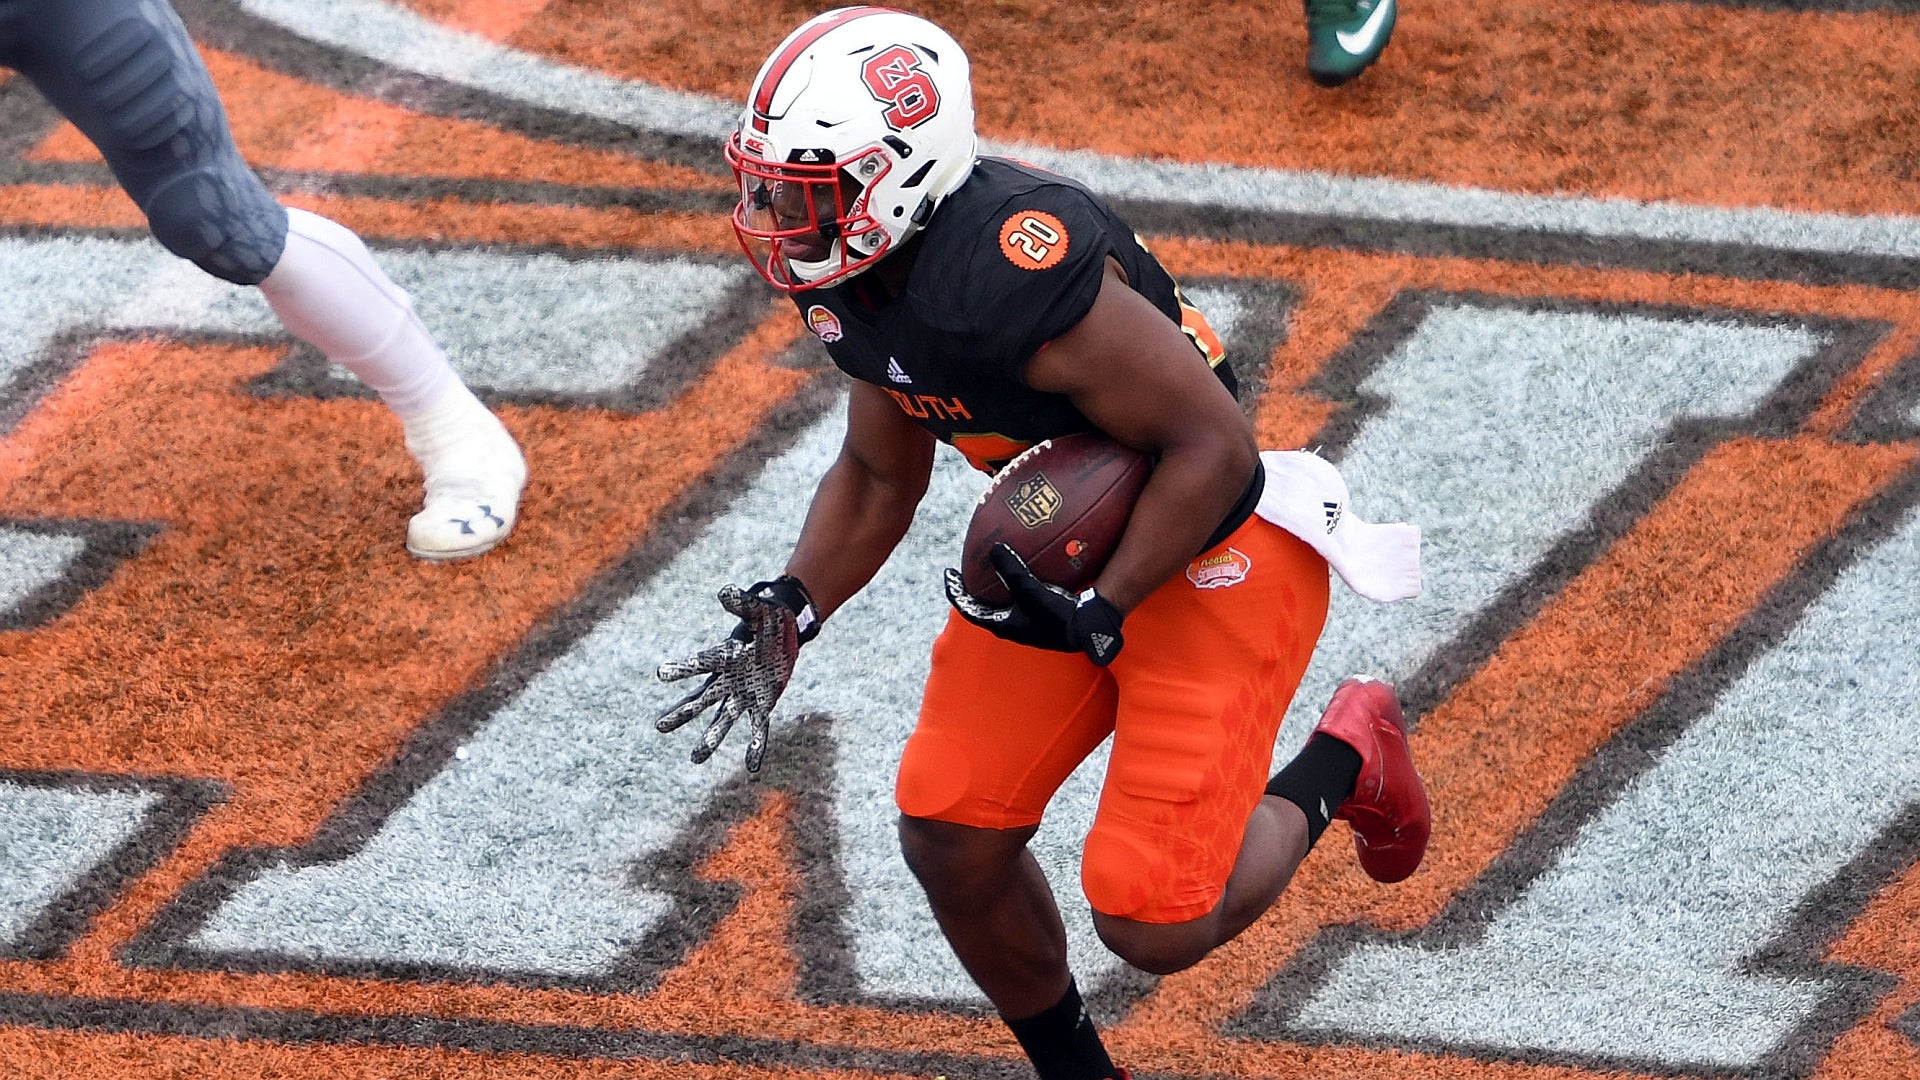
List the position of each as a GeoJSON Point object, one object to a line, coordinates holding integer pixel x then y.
{"type": "Point", "coordinates": [1007, 264]}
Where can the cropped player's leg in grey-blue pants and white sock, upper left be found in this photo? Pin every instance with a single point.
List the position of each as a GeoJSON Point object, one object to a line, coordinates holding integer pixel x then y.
{"type": "Point", "coordinates": [132, 80]}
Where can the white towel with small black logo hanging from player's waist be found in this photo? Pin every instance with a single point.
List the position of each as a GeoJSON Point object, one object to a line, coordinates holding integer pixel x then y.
{"type": "Point", "coordinates": [1308, 499]}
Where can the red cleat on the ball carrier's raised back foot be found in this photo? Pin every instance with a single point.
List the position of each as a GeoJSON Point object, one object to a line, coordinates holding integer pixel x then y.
{"type": "Point", "coordinates": [1389, 804]}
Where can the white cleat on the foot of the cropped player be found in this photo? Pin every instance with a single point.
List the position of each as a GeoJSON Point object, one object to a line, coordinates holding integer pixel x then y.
{"type": "Point", "coordinates": [475, 476]}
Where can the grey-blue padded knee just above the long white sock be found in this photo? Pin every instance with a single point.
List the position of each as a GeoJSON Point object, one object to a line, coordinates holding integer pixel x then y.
{"type": "Point", "coordinates": [220, 220]}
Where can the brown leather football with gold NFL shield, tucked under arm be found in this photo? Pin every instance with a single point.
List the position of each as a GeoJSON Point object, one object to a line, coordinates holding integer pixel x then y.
{"type": "Point", "coordinates": [1061, 506]}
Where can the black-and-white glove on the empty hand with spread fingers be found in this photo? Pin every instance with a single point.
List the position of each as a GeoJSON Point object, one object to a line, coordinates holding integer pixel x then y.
{"type": "Point", "coordinates": [750, 670]}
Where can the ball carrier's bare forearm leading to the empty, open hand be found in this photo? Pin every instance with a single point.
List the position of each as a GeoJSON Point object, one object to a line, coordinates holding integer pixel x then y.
{"type": "Point", "coordinates": [865, 503]}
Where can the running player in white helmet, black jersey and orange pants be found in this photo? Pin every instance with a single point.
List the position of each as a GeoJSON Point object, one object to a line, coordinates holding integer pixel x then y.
{"type": "Point", "coordinates": [1019, 307]}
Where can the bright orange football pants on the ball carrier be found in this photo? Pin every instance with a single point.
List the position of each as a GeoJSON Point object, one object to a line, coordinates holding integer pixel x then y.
{"type": "Point", "coordinates": [1193, 702]}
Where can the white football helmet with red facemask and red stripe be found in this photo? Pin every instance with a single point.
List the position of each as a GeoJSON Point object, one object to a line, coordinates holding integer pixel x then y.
{"type": "Point", "coordinates": [855, 130]}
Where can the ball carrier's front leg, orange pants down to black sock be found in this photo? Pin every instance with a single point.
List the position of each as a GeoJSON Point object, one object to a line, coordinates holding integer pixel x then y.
{"type": "Point", "coordinates": [1001, 729]}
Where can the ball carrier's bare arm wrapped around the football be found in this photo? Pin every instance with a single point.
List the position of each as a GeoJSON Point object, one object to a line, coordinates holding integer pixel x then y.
{"type": "Point", "coordinates": [1138, 378]}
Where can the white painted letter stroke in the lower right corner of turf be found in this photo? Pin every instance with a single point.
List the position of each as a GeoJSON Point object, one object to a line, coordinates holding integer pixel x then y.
{"type": "Point", "coordinates": [1633, 946]}
